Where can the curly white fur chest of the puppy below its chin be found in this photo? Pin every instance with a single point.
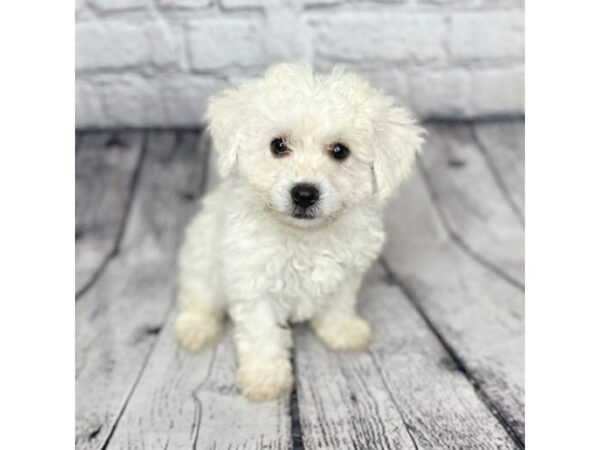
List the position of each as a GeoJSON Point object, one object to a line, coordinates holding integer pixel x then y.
{"type": "Point", "coordinates": [300, 271]}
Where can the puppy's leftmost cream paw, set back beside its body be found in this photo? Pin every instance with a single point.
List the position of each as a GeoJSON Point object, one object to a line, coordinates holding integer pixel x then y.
{"type": "Point", "coordinates": [195, 331]}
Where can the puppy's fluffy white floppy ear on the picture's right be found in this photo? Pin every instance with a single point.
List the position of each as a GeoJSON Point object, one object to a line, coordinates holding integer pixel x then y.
{"type": "Point", "coordinates": [398, 141]}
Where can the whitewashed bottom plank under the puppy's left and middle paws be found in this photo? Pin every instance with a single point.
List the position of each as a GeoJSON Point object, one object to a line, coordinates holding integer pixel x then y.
{"type": "Point", "coordinates": [190, 401]}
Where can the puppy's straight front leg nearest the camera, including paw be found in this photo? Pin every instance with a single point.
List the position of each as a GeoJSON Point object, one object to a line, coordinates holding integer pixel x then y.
{"type": "Point", "coordinates": [263, 347]}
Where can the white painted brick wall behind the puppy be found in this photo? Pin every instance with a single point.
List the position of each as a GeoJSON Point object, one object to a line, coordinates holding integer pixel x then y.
{"type": "Point", "coordinates": [156, 62]}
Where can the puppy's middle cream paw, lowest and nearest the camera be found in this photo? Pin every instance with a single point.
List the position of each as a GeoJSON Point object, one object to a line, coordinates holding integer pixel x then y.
{"type": "Point", "coordinates": [261, 380]}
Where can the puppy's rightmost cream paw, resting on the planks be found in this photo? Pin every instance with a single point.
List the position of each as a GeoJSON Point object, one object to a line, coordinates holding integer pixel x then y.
{"type": "Point", "coordinates": [342, 333]}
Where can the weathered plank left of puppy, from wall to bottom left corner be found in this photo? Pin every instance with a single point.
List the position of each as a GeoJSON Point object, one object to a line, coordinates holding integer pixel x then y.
{"type": "Point", "coordinates": [118, 319]}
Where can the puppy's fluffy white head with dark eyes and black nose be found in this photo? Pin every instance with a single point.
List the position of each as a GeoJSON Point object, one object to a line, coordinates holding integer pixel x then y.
{"type": "Point", "coordinates": [312, 146]}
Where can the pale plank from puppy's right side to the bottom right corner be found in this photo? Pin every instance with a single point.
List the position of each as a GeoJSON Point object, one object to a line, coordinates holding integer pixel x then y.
{"type": "Point", "coordinates": [477, 315]}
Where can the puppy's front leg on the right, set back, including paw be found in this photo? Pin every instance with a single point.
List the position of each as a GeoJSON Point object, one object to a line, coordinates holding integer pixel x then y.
{"type": "Point", "coordinates": [338, 325]}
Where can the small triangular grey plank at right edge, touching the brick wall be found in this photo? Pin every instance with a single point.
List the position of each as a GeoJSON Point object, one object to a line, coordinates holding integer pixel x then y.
{"type": "Point", "coordinates": [503, 144]}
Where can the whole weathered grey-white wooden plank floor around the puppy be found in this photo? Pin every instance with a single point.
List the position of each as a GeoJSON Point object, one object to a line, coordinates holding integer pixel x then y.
{"type": "Point", "coordinates": [446, 301]}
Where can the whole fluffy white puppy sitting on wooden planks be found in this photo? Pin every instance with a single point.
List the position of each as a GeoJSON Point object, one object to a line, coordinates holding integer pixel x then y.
{"type": "Point", "coordinates": [307, 163]}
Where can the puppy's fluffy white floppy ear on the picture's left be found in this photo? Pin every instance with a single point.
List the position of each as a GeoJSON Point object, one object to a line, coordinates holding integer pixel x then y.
{"type": "Point", "coordinates": [223, 117]}
